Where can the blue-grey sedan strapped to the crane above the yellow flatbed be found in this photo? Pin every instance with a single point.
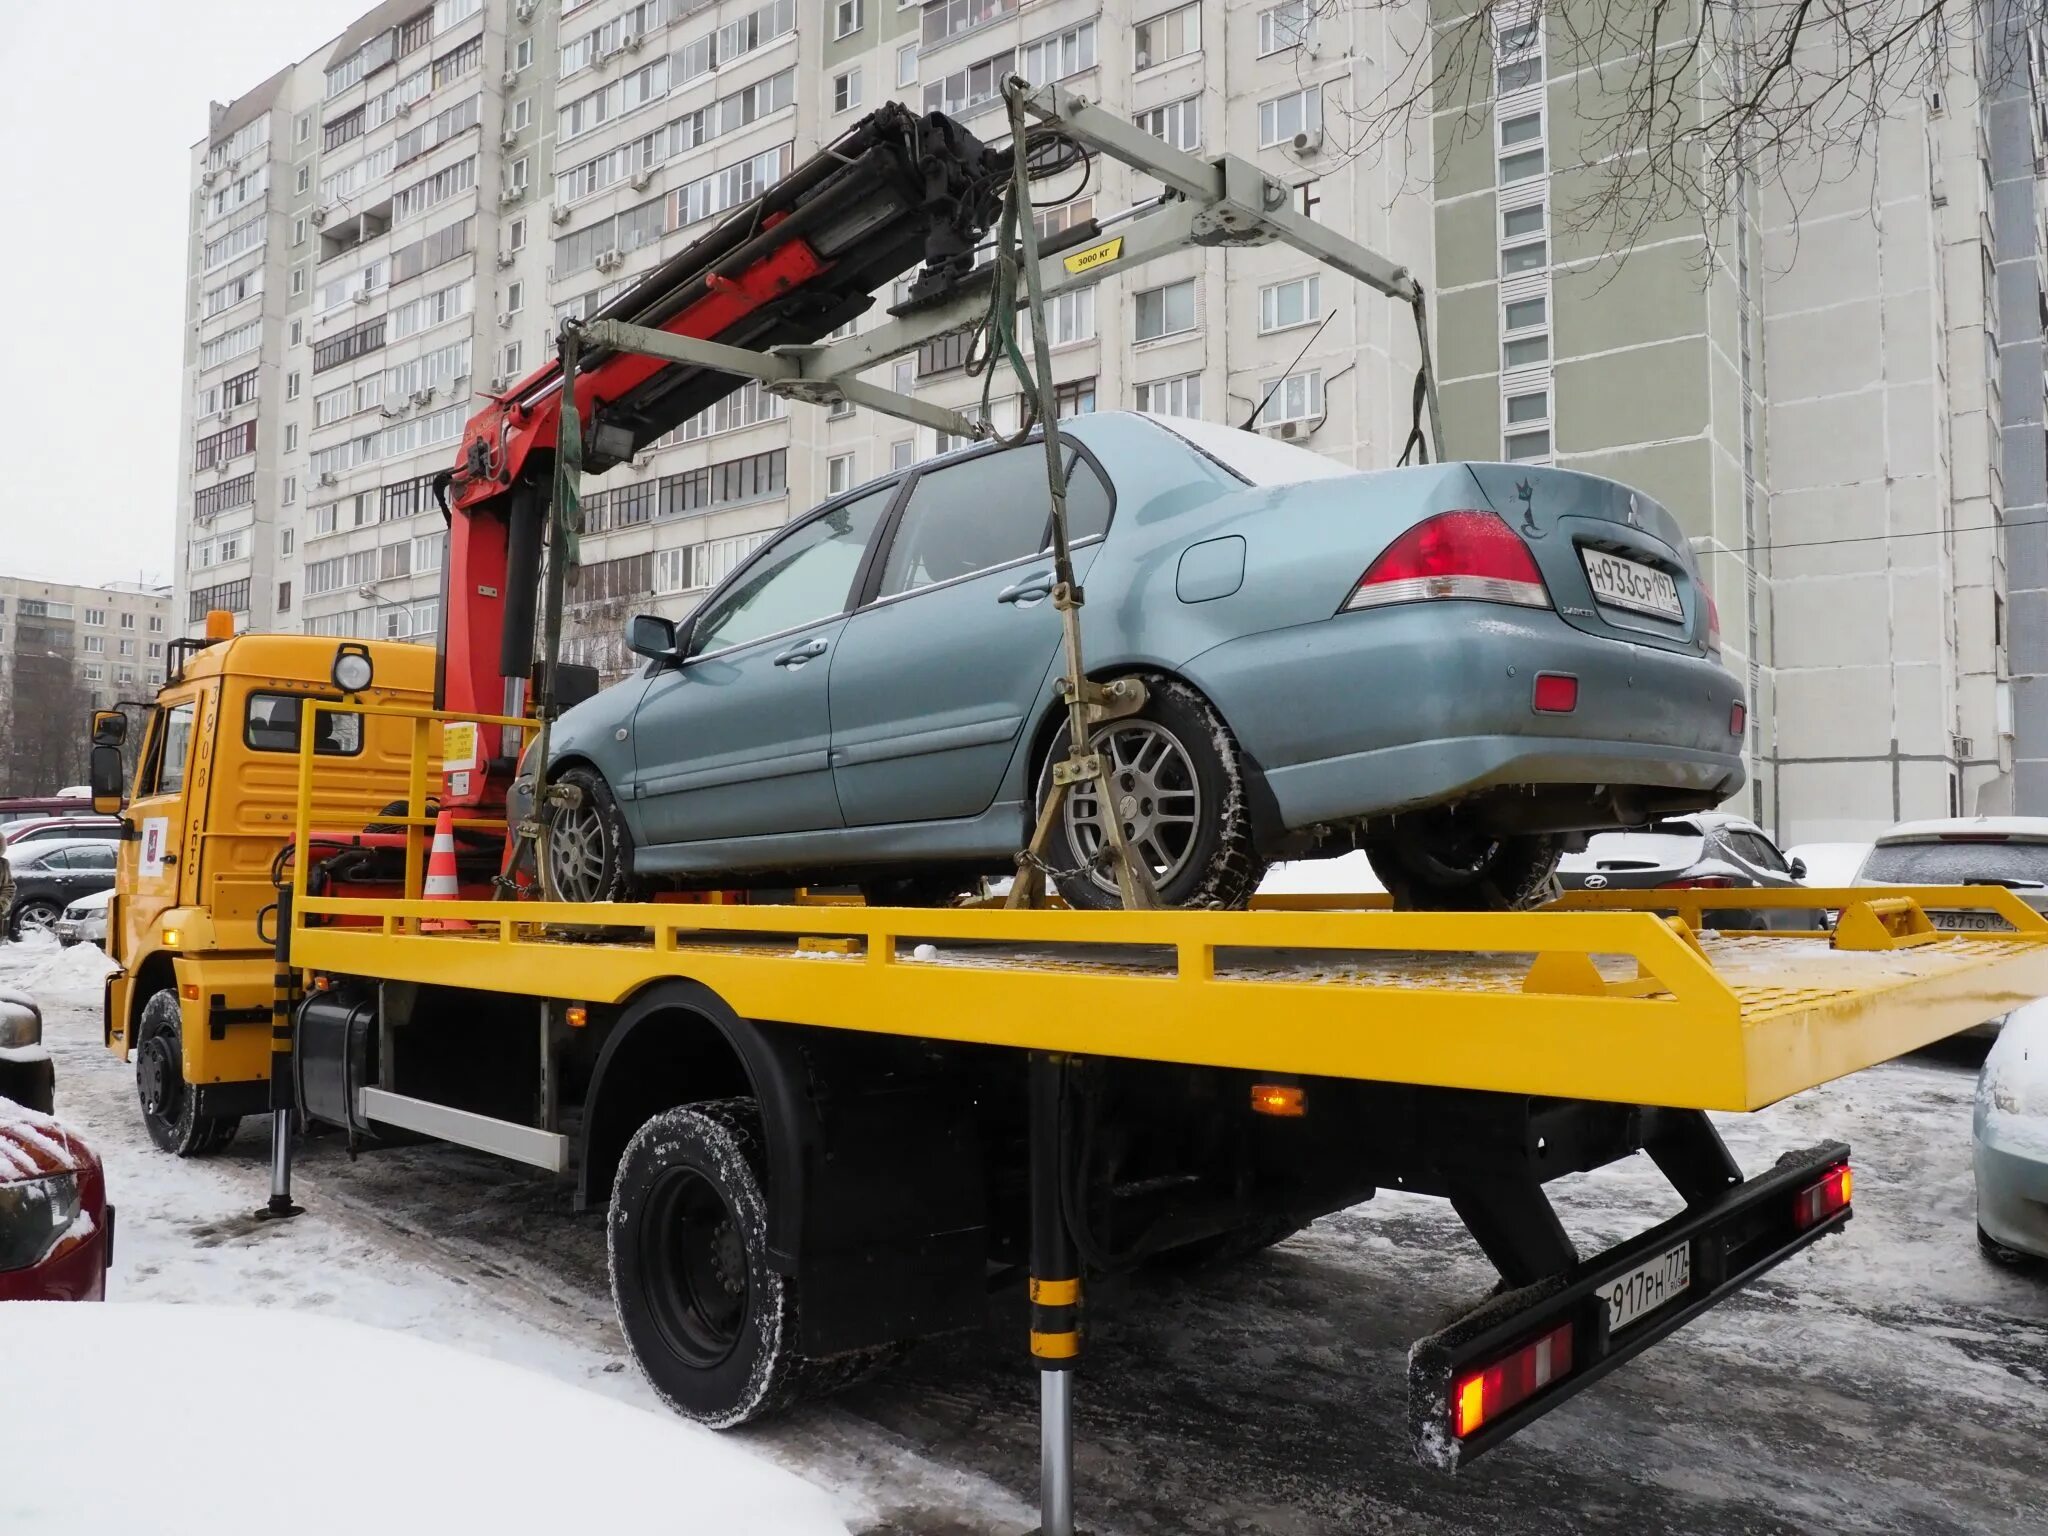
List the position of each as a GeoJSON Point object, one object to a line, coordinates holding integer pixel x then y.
{"type": "Point", "coordinates": [1451, 667]}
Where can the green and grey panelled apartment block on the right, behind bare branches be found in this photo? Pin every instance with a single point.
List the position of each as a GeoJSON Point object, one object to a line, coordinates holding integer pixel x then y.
{"type": "Point", "coordinates": [1811, 382]}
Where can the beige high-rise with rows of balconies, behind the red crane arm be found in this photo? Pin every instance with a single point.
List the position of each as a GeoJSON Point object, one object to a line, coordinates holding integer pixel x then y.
{"type": "Point", "coordinates": [398, 220]}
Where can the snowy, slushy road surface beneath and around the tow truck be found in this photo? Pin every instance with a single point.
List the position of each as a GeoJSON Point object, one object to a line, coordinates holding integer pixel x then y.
{"type": "Point", "coordinates": [1887, 1381]}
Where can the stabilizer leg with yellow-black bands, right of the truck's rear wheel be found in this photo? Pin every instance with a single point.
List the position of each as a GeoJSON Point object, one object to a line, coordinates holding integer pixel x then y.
{"type": "Point", "coordinates": [1056, 1302]}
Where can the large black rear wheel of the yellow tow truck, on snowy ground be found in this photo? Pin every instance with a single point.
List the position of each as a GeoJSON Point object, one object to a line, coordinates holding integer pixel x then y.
{"type": "Point", "coordinates": [708, 1318]}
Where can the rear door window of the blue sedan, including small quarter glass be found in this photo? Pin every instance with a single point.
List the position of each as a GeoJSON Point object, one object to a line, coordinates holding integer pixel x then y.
{"type": "Point", "coordinates": [986, 511]}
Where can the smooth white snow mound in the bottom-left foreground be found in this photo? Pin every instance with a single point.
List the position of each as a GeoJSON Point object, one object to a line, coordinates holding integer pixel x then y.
{"type": "Point", "coordinates": [439, 1439]}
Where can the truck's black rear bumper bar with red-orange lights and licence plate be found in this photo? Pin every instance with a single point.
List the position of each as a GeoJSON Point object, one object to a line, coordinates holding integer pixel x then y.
{"type": "Point", "coordinates": [1521, 1355]}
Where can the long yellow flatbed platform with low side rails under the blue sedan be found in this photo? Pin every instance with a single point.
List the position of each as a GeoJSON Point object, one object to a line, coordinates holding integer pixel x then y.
{"type": "Point", "coordinates": [1598, 996]}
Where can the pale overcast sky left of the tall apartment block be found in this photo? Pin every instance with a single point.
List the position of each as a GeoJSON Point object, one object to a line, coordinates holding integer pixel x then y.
{"type": "Point", "coordinates": [101, 120]}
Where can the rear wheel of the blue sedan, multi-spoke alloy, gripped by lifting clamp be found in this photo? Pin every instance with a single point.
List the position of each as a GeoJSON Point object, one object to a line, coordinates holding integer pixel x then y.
{"type": "Point", "coordinates": [1207, 861]}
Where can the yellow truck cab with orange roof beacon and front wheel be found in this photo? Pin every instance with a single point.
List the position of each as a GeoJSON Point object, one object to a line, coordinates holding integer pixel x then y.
{"type": "Point", "coordinates": [208, 820]}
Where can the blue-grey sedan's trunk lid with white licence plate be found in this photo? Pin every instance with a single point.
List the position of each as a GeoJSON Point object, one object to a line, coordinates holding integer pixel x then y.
{"type": "Point", "coordinates": [1570, 519]}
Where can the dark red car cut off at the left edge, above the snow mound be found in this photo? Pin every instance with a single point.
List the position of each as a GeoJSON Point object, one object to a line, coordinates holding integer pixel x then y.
{"type": "Point", "coordinates": [56, 1228]}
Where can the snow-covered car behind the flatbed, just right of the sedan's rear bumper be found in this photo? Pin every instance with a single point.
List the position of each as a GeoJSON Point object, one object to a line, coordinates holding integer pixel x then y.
{"type": "Point", "coordinates": [1707, 851]}
